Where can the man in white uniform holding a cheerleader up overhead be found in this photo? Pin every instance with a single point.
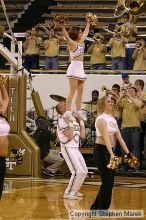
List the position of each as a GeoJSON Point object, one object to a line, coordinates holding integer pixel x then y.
{"type": "Point", "coordinates": [69, 134]}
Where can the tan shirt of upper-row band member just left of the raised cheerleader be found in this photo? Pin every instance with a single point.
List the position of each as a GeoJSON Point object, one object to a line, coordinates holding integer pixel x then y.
{"type": "Point", "coordinates": [51, 47]}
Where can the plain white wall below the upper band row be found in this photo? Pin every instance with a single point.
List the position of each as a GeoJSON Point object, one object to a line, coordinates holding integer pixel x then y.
{"type": "Point", "coordinates": [47, 84]}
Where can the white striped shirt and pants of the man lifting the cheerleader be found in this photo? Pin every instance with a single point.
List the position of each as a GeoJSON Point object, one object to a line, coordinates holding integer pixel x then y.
{"type": "Point", "coordinates": [72, 155]}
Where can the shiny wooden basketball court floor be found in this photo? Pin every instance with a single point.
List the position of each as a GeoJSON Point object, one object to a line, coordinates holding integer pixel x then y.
{"type": "Point", "coordinates": [41, 198]}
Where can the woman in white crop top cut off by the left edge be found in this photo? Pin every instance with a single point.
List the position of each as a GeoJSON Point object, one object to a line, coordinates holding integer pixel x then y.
{"type": "Point", "coordinates": [4, 131]}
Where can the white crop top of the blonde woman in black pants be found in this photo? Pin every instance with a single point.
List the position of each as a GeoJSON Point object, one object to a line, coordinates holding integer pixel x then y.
{"type": "Point", "coordinates": [112, 126]}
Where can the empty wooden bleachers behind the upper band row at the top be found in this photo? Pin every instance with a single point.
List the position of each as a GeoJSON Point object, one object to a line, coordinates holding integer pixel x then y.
{"type": "Point", "coordinates": [75, 12]}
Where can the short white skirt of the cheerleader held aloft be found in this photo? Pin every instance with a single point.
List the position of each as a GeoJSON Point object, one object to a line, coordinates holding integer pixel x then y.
{"type": "Point", "coordinates": [76, 70]}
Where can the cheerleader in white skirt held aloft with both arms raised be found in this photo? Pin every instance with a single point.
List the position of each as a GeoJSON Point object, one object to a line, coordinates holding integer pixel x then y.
{"type": "Point", "coordinates": [75, 39]}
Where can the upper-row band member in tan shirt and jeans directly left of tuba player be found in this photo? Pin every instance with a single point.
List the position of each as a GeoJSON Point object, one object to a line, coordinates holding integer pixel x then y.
{"type": "Point", "coordinates": [117, 44]}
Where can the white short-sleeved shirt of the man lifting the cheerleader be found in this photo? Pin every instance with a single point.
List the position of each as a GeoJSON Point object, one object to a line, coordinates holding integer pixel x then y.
{"type": "Point", "coordinates": [64, 141]}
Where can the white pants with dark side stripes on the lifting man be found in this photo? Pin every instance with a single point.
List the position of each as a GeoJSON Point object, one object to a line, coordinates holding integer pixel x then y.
{"type": "Point", "coordinates": [77, 167]}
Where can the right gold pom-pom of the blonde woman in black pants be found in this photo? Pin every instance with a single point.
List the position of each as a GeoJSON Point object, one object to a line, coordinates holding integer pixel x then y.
{"type": "Point", "coordinates": [132, 160]}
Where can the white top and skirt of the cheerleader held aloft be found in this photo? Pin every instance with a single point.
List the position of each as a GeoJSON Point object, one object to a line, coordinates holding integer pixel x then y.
{"type": "Point", "coordinates": [76, 68]}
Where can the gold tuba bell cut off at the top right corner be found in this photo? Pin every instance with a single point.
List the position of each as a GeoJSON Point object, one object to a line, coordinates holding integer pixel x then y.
{"type": "Point", "coordinates": [135, 7]}
